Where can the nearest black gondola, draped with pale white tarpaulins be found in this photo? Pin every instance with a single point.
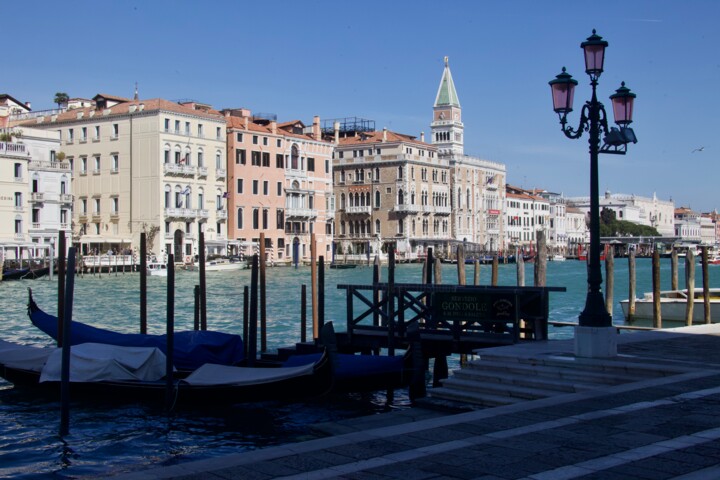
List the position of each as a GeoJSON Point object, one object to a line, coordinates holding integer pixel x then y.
{"type": "Point", "coordinates": [129, 374]}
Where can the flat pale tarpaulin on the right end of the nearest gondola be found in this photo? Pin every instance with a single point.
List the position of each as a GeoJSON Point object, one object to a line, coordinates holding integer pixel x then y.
{"type": "Point", "coordinates": [212, 374]}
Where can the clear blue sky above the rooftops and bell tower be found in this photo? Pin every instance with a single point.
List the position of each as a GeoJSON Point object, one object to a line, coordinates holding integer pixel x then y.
{"type": "Point", "coordinates": [383, 60]}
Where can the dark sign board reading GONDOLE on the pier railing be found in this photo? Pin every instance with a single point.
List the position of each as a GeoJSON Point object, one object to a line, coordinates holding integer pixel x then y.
{"type": "Point", "coordinates": [473, 306]}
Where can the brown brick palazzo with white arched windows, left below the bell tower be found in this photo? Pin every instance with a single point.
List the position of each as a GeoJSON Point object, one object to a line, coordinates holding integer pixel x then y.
{"type": "Point", "coordinates": [390, 188]}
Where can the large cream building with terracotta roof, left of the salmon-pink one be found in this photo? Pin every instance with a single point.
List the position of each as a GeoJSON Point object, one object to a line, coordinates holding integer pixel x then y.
{"type": "Point", "coordinates": [151, 166]}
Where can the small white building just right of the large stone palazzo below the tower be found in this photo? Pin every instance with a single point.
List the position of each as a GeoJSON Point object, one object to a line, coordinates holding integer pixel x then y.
{"type": "Point", "coordinates": [526, 214]}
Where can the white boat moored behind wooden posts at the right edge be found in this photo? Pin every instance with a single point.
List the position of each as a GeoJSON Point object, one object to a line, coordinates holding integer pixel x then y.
{"type": "Point", "coordinates": [673, 304]}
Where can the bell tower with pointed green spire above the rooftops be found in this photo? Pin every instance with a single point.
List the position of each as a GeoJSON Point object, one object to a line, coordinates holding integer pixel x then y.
{"type": "Point", "coordinates": [447, 127]}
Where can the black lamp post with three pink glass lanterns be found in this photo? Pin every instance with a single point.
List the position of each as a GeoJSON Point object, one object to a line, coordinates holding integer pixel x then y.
{"type": "Point", "coordinates": [593, 120]}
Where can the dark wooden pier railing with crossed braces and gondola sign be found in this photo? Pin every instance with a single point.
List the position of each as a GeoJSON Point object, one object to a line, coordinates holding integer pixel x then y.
{"type": "Point", "coordinates": [463, 317]}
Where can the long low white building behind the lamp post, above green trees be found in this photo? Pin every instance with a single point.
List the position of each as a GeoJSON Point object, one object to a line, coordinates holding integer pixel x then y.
{"type": "Point", "coordinates": [652, 212]}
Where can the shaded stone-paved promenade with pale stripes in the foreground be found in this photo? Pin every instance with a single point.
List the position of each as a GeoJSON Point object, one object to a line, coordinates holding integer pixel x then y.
{"type": "Point", "coordinates": [660, 428]}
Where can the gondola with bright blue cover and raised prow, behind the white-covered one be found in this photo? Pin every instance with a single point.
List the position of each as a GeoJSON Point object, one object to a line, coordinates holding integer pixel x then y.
{"type": "Point", "coordinates": [191, 348]}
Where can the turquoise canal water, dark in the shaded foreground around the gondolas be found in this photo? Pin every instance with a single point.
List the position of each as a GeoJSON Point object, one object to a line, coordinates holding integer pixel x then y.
{"type": "Point", "coordinates": [111, 439]}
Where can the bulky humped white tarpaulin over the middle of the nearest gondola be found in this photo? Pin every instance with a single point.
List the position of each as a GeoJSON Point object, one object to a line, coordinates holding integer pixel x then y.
{"type": "Point", "coordinates": [95, 362]}
